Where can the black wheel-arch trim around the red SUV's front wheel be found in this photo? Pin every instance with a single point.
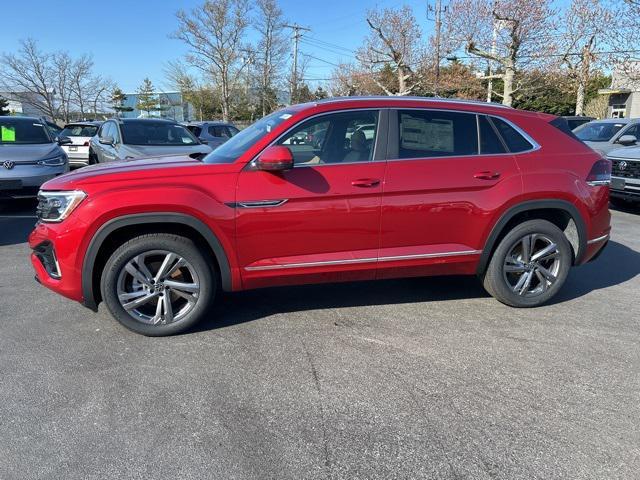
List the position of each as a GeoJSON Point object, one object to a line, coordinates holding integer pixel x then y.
{"type": "Point", "coordinates": [136, 219]}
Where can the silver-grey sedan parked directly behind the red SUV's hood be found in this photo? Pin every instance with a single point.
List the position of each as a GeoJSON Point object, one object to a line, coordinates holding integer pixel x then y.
{"type": "Point", "coordinates": [131, 138]}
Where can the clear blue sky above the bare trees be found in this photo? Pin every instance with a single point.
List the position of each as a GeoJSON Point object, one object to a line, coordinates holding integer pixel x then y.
{"type": "Point", "coordinates": [130, 40]}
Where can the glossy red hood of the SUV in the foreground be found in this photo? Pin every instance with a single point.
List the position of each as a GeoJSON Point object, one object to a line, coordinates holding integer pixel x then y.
{"type": "Point", "coordinates": [145, 167]}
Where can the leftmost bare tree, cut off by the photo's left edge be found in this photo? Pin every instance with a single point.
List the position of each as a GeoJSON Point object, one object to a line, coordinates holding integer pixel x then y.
{"type": "Point", "coordinates": [30, 77]}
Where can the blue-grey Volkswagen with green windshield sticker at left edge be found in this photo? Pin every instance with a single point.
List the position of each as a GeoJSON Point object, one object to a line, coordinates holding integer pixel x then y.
{"type": "Point", "coordinates": [29, 156]}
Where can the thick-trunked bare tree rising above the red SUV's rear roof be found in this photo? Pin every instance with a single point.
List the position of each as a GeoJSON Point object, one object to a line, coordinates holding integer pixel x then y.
{"type": "Point", "coordinates": [511, 33]}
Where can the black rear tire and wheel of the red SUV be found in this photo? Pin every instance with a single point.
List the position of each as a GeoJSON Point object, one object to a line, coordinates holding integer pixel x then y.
{"type": "Point", "coordinates": [499, 280]}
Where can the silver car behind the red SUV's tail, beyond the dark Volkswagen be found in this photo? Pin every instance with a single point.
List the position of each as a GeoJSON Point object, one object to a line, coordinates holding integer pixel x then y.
{"type": "Point", "coordinates": [606, 135]}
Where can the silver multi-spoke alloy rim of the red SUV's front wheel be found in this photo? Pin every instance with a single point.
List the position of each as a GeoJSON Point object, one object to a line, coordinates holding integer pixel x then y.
{"type": "Point", "coordinates": [158, 287]}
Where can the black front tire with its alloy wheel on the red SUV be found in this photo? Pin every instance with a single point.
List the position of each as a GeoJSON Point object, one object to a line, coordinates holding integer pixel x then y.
{"type": "Point", "coordinates": [152, 250]}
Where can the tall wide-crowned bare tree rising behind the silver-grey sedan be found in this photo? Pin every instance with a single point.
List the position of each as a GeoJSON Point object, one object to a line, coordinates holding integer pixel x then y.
{"type": "Point", "coordinates": [215, 33]}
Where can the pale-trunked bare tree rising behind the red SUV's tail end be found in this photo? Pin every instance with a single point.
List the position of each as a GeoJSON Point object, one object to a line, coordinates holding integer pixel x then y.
{"type": "Point", "coordinates": [587, 24]}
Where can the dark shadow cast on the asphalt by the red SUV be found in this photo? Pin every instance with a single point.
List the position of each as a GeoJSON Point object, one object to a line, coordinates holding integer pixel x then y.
{"type": "Point", "coordinates": [617, 264]}
